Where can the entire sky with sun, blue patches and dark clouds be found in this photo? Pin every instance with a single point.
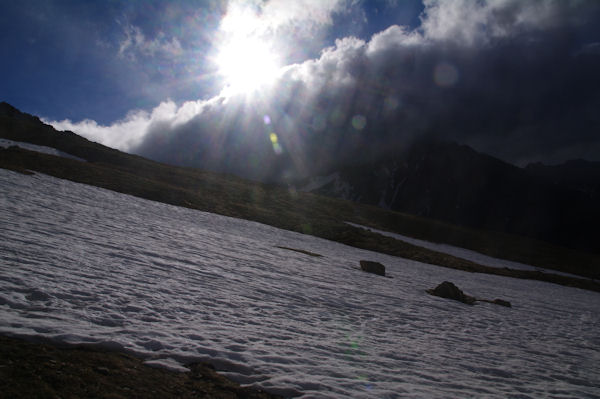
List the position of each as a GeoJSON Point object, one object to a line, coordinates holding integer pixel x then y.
{"type": "Point", "coordinates": [278, 89]}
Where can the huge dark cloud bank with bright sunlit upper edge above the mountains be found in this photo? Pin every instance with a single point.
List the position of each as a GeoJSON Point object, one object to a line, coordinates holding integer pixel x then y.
{"type": "Point", "coordinates": [500, 75]}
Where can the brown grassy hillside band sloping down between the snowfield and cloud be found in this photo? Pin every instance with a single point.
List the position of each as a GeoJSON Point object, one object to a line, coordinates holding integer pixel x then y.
{"type": "Point", "coordinates": [276, 206]}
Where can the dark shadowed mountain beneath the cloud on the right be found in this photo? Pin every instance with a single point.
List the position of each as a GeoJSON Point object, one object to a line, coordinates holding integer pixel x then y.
{"type": "Point", "coordinates": [456, 184]}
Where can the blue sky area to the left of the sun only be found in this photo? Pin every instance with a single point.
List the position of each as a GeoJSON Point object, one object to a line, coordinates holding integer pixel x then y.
{"type": "Point", "coordinates": [63, 57]}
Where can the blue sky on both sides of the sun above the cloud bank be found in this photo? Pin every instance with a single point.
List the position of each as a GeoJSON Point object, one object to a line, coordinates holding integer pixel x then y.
{"type": "Point", "coordinates": [62, 59]}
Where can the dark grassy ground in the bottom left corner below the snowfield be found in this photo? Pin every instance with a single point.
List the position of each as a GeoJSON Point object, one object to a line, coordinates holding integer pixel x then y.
{"type": "Point", "coordinates": [36, 370]}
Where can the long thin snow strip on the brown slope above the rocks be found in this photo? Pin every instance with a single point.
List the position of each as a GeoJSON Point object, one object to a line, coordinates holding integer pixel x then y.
{"type": "Point", "coordinates": [463, 253]}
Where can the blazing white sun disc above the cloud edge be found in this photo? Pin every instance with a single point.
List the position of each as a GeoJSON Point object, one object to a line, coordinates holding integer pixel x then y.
{"type": "Point", "coordinates": [246, 63]}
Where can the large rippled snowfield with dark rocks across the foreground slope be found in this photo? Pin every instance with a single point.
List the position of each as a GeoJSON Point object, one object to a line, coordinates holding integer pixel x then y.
{"type": "Point", "coordinates": [83, 264]}
